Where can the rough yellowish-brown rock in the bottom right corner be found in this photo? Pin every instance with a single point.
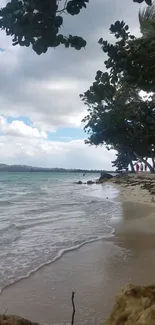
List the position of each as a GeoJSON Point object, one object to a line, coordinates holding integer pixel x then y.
{"type": "Point", "coordinates": [134, 306]}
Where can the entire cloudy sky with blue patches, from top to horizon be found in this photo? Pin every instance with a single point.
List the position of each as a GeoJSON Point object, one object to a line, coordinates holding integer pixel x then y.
{"type": "Point", "coordinates": [40, 108]}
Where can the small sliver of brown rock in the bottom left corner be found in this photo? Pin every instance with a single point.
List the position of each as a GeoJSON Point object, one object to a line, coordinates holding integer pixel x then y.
{"type": "Point", "coordinates": [14, 320]}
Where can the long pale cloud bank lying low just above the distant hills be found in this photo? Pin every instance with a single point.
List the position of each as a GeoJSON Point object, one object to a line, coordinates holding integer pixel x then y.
{"type": "Point", "coordinates": [39, 152]}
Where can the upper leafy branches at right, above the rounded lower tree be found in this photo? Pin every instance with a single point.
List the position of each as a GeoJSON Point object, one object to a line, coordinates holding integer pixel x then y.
{"type": "Point", "coordinates": [133, 57]}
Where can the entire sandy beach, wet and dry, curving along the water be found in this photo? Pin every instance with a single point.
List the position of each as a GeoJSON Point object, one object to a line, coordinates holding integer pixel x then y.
{"type": "Point", "coordinates": [96, 271]}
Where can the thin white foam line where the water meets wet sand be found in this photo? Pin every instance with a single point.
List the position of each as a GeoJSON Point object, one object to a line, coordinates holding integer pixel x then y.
{"type": "Point", "coordinates": [58, 256]}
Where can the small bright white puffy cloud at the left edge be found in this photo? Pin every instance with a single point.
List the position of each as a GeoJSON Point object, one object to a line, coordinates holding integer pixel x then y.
{"type": "Point", "coordinates": [19, 128]}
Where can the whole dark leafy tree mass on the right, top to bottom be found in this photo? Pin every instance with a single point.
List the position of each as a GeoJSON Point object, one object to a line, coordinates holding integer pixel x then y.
{"type": "Point", "coordinates": [118, 116]}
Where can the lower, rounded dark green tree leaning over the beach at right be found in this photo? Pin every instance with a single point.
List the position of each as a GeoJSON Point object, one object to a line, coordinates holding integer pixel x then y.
{"type": "Point", "coordinates": [119, 118]}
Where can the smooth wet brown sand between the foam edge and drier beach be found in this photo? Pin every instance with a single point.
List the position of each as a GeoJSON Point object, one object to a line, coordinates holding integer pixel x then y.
{"type": "Point", "coordinates": [46, 296]}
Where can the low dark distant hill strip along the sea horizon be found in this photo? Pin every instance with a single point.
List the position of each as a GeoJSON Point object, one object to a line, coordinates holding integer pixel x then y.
{"type": "Point", "coordinates": [24, 168]}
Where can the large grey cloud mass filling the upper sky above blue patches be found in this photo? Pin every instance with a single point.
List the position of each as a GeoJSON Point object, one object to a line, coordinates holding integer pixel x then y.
{"type": "Point", "coordinates": [47, 87]}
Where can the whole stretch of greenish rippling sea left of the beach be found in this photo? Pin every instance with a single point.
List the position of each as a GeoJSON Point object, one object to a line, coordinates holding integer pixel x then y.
{"type": "Point", "coordinates": [44, 215]}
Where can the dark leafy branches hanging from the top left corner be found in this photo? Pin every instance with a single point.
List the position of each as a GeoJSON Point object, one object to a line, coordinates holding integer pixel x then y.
{"type": "Point", "coordinates": [38, 22]}
